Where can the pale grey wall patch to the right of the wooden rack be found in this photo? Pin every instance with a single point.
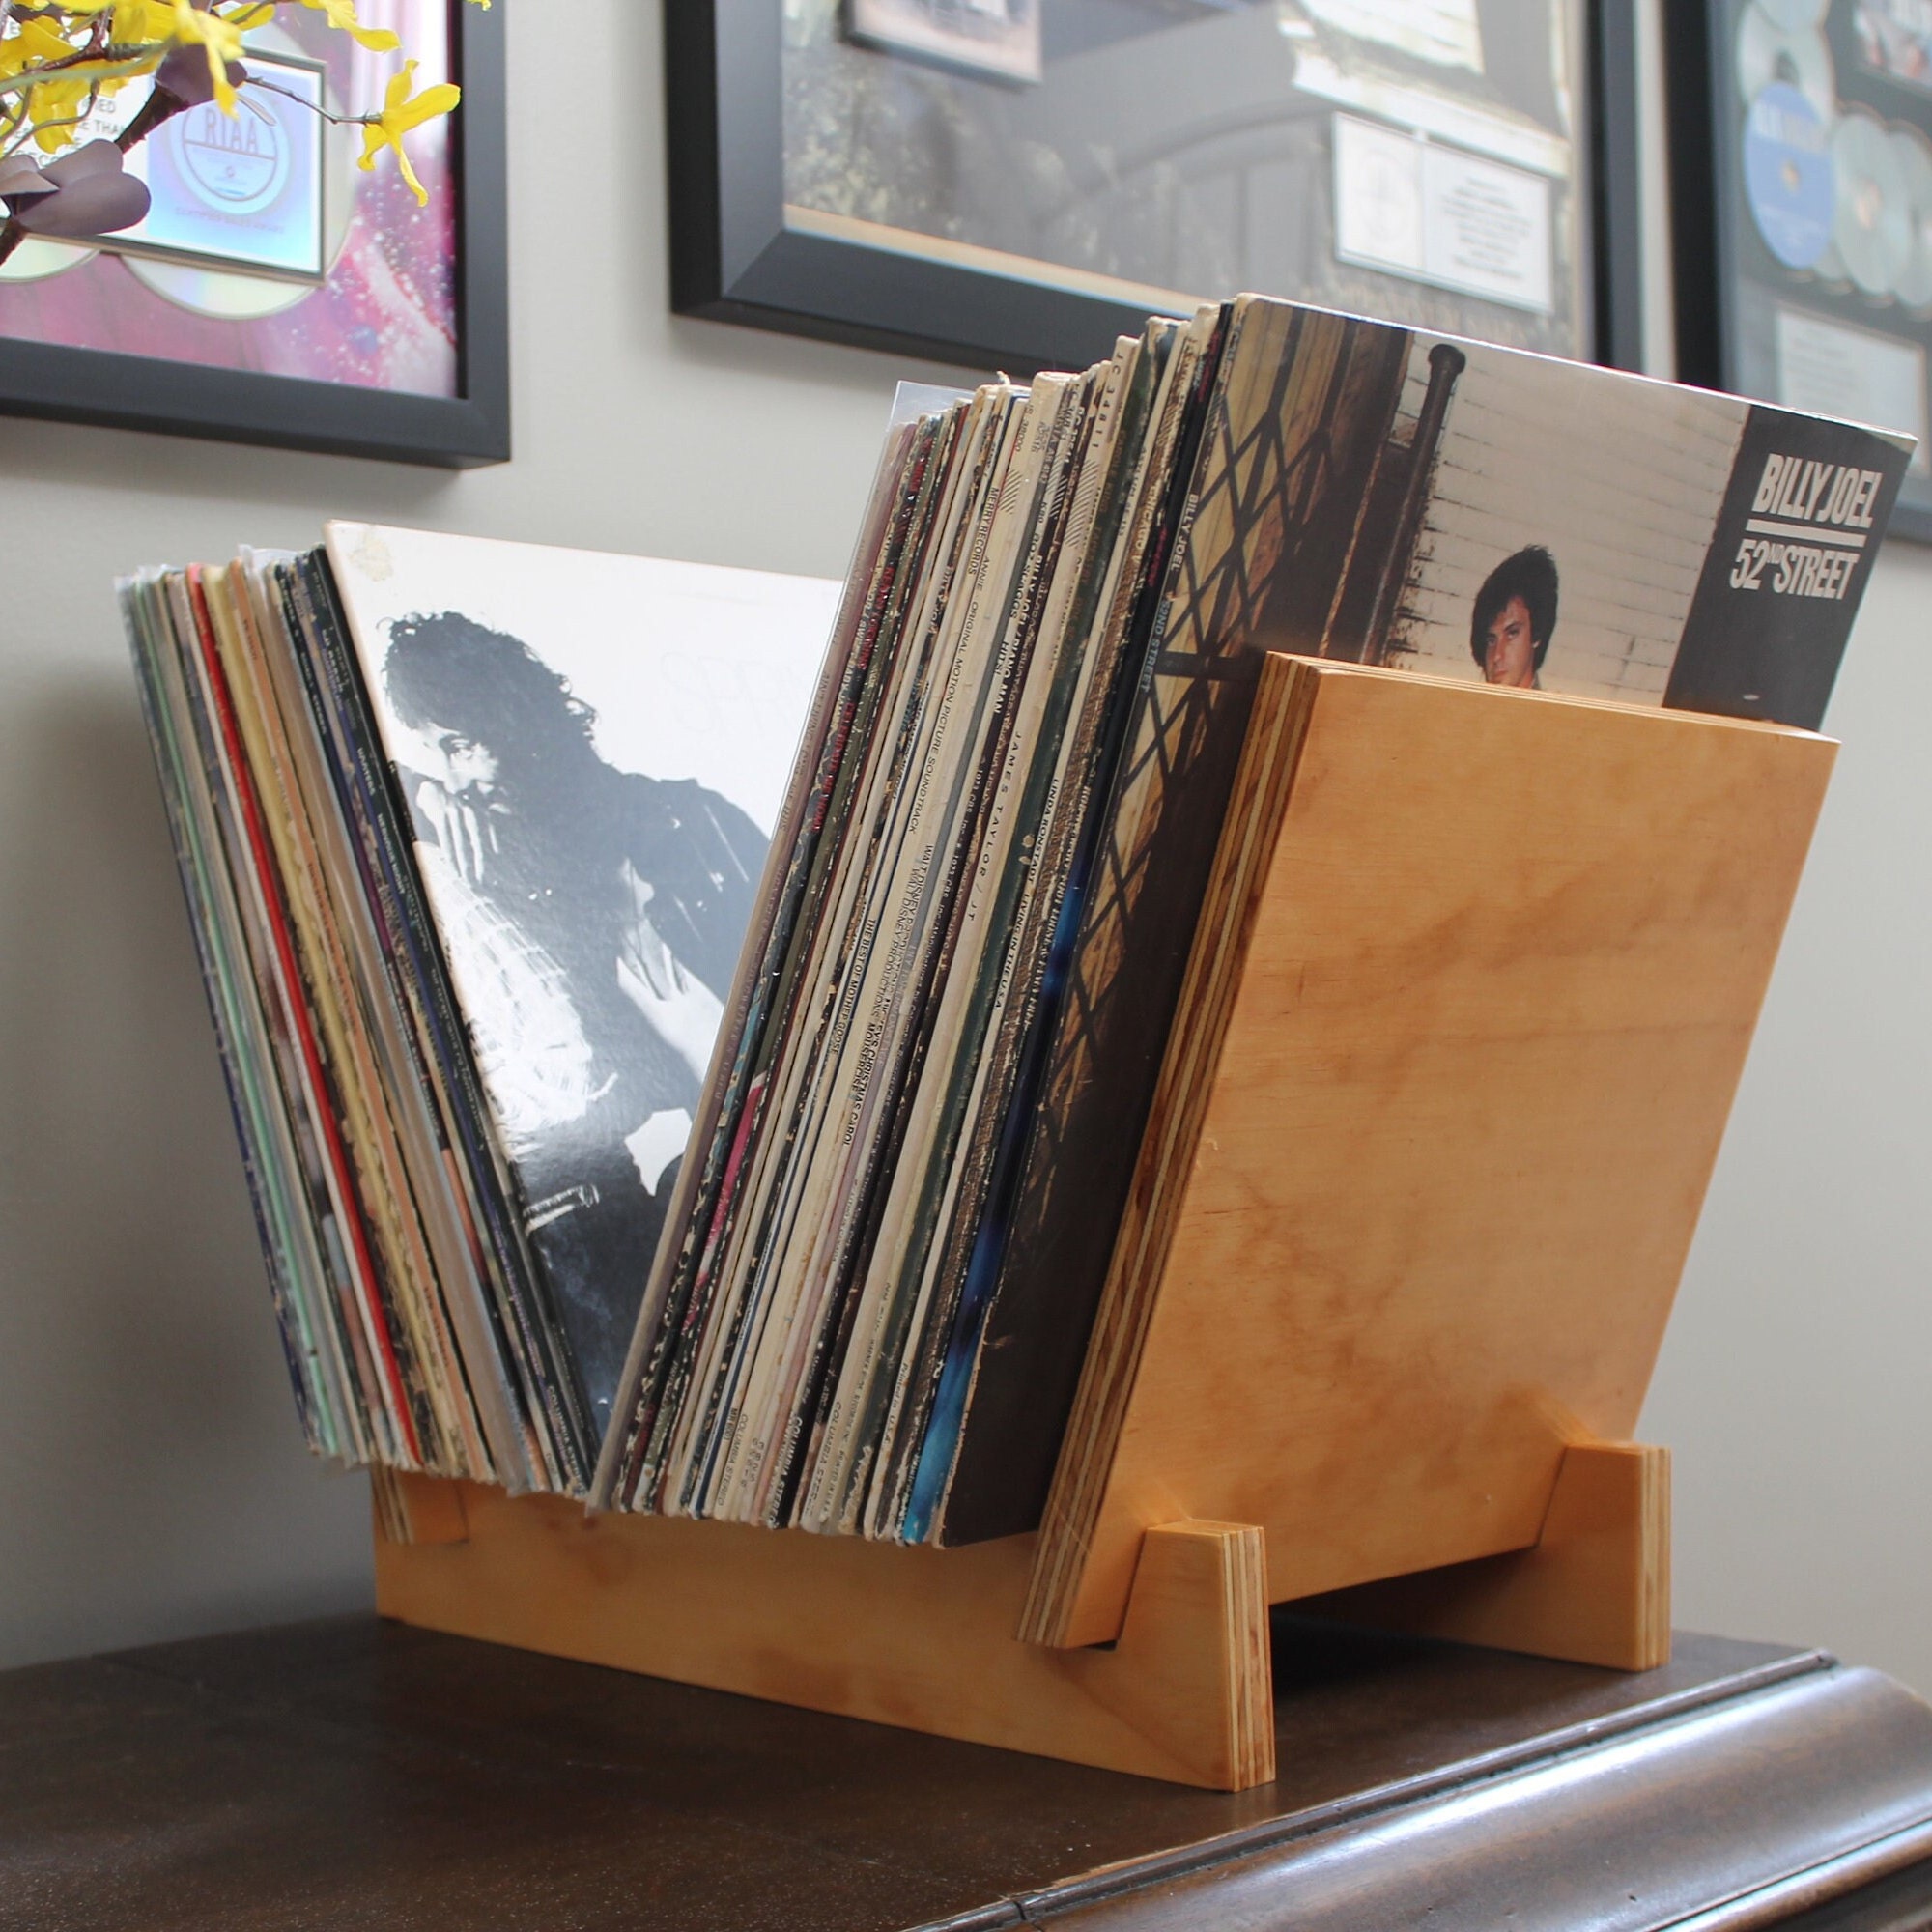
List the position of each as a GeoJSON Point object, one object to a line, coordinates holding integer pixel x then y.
{"type": "Point", "coordinates": [1796, 1384]}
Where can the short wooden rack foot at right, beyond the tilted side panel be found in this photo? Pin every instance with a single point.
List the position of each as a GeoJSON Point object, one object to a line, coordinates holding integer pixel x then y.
{"type": "Point", "coordinates": [1595, 1589]}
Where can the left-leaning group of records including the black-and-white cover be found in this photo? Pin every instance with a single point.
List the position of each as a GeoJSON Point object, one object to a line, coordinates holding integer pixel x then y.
{"type": "Point", "coordinates": [416, 874]}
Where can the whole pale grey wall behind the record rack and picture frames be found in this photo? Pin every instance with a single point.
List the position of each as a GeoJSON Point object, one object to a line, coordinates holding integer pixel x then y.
{"type": "Point", "coordinates": [154, 1479]}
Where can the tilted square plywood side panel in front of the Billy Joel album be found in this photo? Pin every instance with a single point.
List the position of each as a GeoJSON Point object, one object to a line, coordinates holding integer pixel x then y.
{"type": "Point", "coordinates": [1460, 1118]}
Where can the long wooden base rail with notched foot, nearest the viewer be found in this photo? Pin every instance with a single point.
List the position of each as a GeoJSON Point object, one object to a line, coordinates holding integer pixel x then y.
{"type": "Point", "coordinates": [911, 1637]}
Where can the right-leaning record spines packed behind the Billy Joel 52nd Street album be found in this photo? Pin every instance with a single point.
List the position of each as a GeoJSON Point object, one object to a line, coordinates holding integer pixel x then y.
{"type": "Point", "coordinates": [807, 1346]}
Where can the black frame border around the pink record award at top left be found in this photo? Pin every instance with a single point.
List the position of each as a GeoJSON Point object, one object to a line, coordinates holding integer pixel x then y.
{"type": "Point", "coordinates": [80, 385]}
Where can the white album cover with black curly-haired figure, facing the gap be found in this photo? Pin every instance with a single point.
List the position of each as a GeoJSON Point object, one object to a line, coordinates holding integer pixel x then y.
{"type": "Point", "coordinates": [592, 751]}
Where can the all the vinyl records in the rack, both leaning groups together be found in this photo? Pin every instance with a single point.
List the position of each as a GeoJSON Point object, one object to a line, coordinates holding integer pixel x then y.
{"type": "Point", "coordinates": [700, 1069]}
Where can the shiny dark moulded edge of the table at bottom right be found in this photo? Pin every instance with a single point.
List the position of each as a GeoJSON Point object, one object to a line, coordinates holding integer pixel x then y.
{"type": "Point", "coordinates": [1751, 1802]}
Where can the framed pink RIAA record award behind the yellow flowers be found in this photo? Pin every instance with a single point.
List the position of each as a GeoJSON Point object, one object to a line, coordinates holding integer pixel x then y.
{"type": "Point", "coordinates": [277, 293]}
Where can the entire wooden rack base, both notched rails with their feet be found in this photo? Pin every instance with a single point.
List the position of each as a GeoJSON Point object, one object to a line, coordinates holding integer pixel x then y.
{"type": "Point", "coordinates": [926, 1637]}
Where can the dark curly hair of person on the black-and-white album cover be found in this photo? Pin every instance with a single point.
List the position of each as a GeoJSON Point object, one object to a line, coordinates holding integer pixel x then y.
{"type": "Point", "coordinates": [451, 671]}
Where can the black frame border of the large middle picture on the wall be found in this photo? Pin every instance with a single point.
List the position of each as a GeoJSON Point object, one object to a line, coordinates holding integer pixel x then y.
{"type": "Point", "coordinates": [733, 258]}
